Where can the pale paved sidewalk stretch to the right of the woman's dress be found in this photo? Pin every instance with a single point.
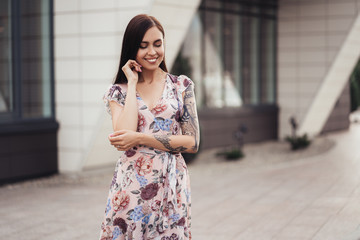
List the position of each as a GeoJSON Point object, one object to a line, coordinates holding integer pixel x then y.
{"type": "Point", "coordinates": [316, 197]}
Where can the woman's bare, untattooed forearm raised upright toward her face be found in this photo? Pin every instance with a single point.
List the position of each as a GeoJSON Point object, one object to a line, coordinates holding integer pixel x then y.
{"type": "Point", "coordinates": [128, 118]}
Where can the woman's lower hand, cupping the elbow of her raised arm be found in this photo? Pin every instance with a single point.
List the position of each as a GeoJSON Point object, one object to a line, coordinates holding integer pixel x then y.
{"type": "Point", "coordinates": [124, 139]}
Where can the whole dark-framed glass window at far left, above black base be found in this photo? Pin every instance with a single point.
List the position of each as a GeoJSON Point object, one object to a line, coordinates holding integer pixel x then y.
{"type": "Point", "coordinates": [26, 52]}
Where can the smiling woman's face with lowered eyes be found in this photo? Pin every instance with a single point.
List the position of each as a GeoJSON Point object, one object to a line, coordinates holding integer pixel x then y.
{"type": "Point", "coordinates": [151, 50]}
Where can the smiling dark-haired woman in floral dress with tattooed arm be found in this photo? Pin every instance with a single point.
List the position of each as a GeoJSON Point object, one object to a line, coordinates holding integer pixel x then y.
{"type": "Point", "coordinates": [154, 119]}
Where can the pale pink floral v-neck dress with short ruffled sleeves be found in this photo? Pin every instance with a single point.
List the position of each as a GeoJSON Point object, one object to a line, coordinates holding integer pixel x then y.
{"type": "Point", "coordinates": [149, 196]}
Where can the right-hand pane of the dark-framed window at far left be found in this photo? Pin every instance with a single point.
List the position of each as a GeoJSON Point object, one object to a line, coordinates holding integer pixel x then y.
{"type": "Point", "coordinates": [35, 59]}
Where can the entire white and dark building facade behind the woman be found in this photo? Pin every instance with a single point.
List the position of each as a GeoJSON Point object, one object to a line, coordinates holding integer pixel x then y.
{"type": "Point", "coordinates": [255, 64]}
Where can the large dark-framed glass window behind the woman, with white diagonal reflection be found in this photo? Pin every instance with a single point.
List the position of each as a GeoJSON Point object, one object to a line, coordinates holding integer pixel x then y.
{"type": "Point", "coordinates": [230, 49]}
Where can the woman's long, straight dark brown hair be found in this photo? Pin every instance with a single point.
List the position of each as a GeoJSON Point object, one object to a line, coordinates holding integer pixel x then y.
{"type": "Point", "coordinates": [133, 36]}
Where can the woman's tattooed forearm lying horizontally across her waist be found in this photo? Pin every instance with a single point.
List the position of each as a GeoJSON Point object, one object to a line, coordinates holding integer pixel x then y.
{"type": "Point", "coordinates": [170, 143]}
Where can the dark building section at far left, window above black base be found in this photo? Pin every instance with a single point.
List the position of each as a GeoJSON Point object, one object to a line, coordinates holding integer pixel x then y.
{"type": "Point", "coordinates": [28, 128]}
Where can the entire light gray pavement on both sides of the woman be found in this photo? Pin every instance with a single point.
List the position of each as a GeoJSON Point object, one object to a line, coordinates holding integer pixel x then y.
{"type": "Point", "coordinates": [271, 194]}
